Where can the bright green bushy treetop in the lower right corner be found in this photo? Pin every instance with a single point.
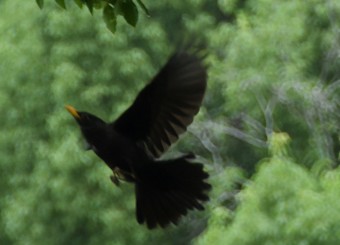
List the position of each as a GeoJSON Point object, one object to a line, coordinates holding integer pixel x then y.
{"type": "Point", "coordinates": [283, 204]}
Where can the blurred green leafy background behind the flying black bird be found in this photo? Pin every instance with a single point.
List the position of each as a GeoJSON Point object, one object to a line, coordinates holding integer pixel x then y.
{"type": "Point", "coordinates": [268, 131]}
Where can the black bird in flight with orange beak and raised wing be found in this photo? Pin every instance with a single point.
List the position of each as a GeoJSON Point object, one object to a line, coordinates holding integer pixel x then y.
{"type": "Point", "coordinates": [131, 145]}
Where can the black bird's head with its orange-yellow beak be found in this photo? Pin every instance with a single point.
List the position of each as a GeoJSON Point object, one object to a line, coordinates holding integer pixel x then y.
{"type": "Point", "coordinates": [85, 119]}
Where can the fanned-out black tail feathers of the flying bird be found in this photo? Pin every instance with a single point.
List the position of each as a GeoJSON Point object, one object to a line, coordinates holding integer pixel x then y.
{"type": "Point", "coordinates": [166, 190]}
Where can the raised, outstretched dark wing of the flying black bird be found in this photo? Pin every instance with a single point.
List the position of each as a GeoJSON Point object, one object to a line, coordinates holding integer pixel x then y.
{"type": "Point", "coordinates": [167, 105]}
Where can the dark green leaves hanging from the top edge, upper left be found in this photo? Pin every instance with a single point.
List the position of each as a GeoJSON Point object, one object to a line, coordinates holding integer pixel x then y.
{"type": "Point", "coordinates": [110, 8]}
